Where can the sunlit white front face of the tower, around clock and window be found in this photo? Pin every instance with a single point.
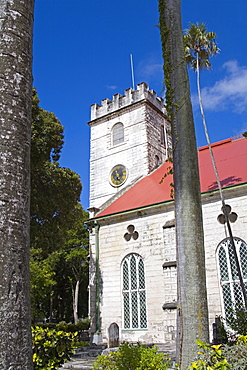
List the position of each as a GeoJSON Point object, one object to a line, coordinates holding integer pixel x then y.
{"type": "Point", "coordinates": [104, 156]}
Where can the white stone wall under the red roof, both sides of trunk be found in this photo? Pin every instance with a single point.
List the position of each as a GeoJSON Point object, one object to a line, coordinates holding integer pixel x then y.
{"type": "Point", "coordinates": [156, 245]}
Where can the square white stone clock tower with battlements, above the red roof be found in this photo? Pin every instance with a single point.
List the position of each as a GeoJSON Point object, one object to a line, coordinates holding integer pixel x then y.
{"type": "Point", "coordinates": [129, 139]}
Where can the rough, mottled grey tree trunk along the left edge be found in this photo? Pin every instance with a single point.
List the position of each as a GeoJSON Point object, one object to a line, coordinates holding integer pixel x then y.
{"type": "Point", "coordinates": [16, 20]}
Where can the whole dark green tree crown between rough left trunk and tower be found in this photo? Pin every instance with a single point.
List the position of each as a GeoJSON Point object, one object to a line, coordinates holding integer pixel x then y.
{"type": "Point", "coordinates": [55, 191]}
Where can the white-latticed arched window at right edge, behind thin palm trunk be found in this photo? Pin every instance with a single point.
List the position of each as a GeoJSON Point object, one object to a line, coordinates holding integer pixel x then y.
{"type": "Point", "coordinates": [229, 280]}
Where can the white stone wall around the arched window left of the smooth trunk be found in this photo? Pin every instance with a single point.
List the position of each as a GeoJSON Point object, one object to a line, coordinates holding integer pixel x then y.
{"type": "Point", "coordinates": [160, 283]}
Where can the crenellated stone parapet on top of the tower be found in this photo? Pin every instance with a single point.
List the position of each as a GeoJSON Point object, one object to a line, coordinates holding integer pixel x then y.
{"type": "Point", "coordinates": [130, 97]}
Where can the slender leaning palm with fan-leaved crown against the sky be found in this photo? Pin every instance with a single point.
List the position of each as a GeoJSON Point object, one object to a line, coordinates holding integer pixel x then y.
{"type": "Point", "coordinates": [199, 46]}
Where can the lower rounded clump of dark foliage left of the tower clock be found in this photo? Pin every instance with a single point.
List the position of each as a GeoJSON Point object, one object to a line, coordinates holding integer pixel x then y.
{"type": "Point", "coordinates": [55, 194]}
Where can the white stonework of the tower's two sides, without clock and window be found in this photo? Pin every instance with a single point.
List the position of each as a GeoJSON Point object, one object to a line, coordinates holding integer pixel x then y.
{"type": "Point", "coordinates": [142, 143]}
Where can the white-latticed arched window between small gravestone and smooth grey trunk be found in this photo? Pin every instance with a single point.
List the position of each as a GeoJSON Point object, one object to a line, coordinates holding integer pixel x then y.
{"type": "Point", "coordinates": [134, 293]}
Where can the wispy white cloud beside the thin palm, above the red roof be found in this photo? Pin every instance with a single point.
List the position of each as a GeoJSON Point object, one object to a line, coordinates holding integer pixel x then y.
{"type": "Point", "coordinates": [230, 93]}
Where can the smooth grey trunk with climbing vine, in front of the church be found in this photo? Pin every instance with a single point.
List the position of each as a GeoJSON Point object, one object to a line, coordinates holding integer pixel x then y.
{"type": "Point", "coordinates": [193, 315]}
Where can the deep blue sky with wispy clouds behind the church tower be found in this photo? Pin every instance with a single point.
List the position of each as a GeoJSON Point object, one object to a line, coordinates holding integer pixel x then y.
{"type": "Point", "coordinates": [82, 55]}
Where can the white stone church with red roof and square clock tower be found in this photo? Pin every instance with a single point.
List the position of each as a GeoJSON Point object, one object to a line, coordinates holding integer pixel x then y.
{"type": "Point", "coordinates": [133, 268]}
